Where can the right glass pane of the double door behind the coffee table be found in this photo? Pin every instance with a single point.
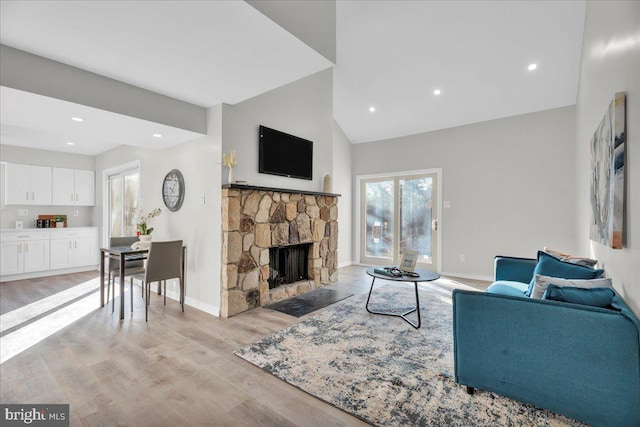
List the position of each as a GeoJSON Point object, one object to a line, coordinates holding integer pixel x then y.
{"type": "Point", "coordinates": [416, 216]}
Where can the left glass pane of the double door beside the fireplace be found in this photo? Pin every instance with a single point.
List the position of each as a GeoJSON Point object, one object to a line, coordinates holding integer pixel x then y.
{"type": "Point", "coordinates": [379, 219]}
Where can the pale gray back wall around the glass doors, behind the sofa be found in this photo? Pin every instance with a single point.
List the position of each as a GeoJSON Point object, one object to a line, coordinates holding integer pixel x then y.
{"type": "Point", "coordinates": [509, 182]}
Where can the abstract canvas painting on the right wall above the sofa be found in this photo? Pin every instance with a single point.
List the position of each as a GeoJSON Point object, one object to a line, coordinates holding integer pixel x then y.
{"type": "Point", "coordinates": [607, 175]}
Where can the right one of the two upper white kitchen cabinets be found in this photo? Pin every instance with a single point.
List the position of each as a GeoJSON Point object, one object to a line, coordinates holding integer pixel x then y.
{"type": "Point", "coordinates": [73, 187]}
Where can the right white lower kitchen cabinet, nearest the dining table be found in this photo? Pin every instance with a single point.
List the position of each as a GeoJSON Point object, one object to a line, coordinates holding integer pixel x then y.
{"type": "Point", "coordinates": [74, 247]}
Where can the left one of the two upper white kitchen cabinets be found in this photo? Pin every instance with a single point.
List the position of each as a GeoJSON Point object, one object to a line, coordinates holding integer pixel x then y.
{"type": "Point", "coordinates": [27, 184]}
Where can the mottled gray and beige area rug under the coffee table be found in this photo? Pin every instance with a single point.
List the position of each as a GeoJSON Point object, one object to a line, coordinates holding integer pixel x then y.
{"type": "Point", "coordinates": [385, 372]}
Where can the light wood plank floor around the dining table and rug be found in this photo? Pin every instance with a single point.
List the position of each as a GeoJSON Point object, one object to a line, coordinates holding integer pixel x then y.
{"type": "Point", "coordinates": [177, 369]}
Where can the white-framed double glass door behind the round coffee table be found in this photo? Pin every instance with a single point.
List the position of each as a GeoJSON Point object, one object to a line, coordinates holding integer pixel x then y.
{"type": "Point", "coordinates": [399, 213]}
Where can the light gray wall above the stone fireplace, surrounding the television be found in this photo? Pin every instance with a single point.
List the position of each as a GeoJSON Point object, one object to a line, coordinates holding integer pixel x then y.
{"type": "Point", "coordinates": [303, 108]}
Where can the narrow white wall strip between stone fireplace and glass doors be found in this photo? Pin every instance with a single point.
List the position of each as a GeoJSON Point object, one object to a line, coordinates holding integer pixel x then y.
{"type": "Point", "coordinates": [342, 179]}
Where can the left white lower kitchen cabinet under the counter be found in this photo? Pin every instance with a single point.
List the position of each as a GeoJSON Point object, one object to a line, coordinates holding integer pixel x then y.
{"type": "Point", "coordinates": [24, 252]}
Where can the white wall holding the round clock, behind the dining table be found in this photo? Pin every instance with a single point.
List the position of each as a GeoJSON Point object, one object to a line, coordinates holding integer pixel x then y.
{"type": "Point", "coordinates": [196, 224]}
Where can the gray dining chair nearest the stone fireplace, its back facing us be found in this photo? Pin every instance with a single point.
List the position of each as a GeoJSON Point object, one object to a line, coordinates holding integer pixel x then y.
{"type": "Point", "coordinates": [164, 262]}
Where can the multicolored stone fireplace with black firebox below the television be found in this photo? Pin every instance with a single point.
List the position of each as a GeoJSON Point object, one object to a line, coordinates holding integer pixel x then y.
{"type": "Point", "coordinates": [260, 223]}
